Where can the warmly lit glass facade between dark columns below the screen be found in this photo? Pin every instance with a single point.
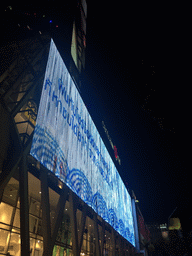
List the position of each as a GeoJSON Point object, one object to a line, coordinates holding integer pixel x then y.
{"type": "Point", "coordinates": [10, 240]}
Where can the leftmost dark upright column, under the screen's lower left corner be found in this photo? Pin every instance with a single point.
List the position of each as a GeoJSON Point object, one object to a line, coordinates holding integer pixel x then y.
{"type": "Point", "coordinates": [24, 207]}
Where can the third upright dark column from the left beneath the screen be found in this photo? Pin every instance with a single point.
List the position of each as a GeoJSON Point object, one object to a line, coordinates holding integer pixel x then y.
{"type": "Point", "coordinates": [73, 209]}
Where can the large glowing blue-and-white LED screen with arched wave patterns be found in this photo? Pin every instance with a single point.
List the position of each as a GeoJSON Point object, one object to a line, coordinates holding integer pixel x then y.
{"type": "Point", "coordinates": [67, 143]}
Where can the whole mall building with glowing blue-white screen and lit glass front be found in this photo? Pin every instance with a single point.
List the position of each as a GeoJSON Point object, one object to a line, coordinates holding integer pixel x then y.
{"type": "Point", "coordinates": [60, 192]}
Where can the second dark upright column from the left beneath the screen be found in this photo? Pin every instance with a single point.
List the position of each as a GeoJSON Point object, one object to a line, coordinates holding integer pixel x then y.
{"type": "Point", "coordinates": [46, 227]}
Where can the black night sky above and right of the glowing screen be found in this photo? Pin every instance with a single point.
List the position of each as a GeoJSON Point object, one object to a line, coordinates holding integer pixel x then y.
{"type": "Point", "coordinates": [137, 82]}
